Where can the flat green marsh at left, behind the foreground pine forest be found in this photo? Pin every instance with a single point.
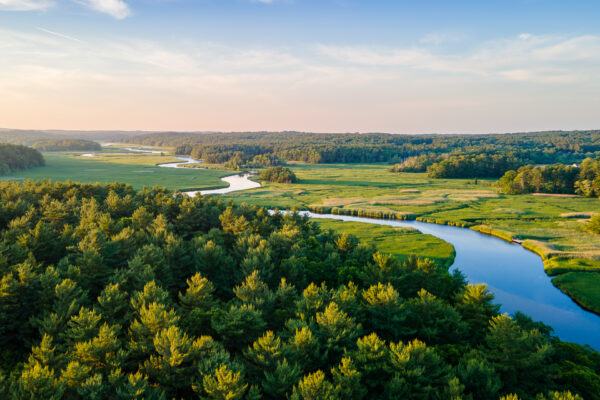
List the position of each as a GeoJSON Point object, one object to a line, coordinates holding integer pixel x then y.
{"type": "Point", "coordinates": [138, 170]}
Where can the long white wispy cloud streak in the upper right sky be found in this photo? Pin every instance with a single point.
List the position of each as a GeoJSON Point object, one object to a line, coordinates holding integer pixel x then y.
{"type": "Point", "coordinates": [523, 58]}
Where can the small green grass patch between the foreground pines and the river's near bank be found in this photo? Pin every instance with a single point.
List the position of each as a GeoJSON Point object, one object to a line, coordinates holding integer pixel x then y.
{"type": "Point", "coordinates": [400, 242]}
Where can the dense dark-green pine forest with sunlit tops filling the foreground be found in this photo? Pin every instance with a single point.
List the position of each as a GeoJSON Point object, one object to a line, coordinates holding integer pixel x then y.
{"type": "Point", "coordinates": [109, 293]}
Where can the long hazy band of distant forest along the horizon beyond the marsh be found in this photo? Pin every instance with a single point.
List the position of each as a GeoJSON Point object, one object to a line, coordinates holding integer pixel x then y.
{"type": "Point", "coordinates": [535, 148]}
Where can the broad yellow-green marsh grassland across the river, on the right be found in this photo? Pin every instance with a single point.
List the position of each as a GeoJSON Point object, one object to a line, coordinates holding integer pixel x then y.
{"type": "Point", "coordinates": [552, 226]}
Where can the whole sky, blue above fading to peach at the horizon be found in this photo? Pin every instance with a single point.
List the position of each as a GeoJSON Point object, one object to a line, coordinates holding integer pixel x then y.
{"type": "Point", "coordinates": [429, 66]}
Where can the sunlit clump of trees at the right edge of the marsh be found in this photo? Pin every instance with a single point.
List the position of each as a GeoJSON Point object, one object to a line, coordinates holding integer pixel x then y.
{"type": "Point", "coordinates": [557, 178]}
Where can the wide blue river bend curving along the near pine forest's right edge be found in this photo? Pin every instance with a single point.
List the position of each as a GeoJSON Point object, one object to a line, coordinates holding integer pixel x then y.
{"type": "Point", "coordinates": [516, 277]}
